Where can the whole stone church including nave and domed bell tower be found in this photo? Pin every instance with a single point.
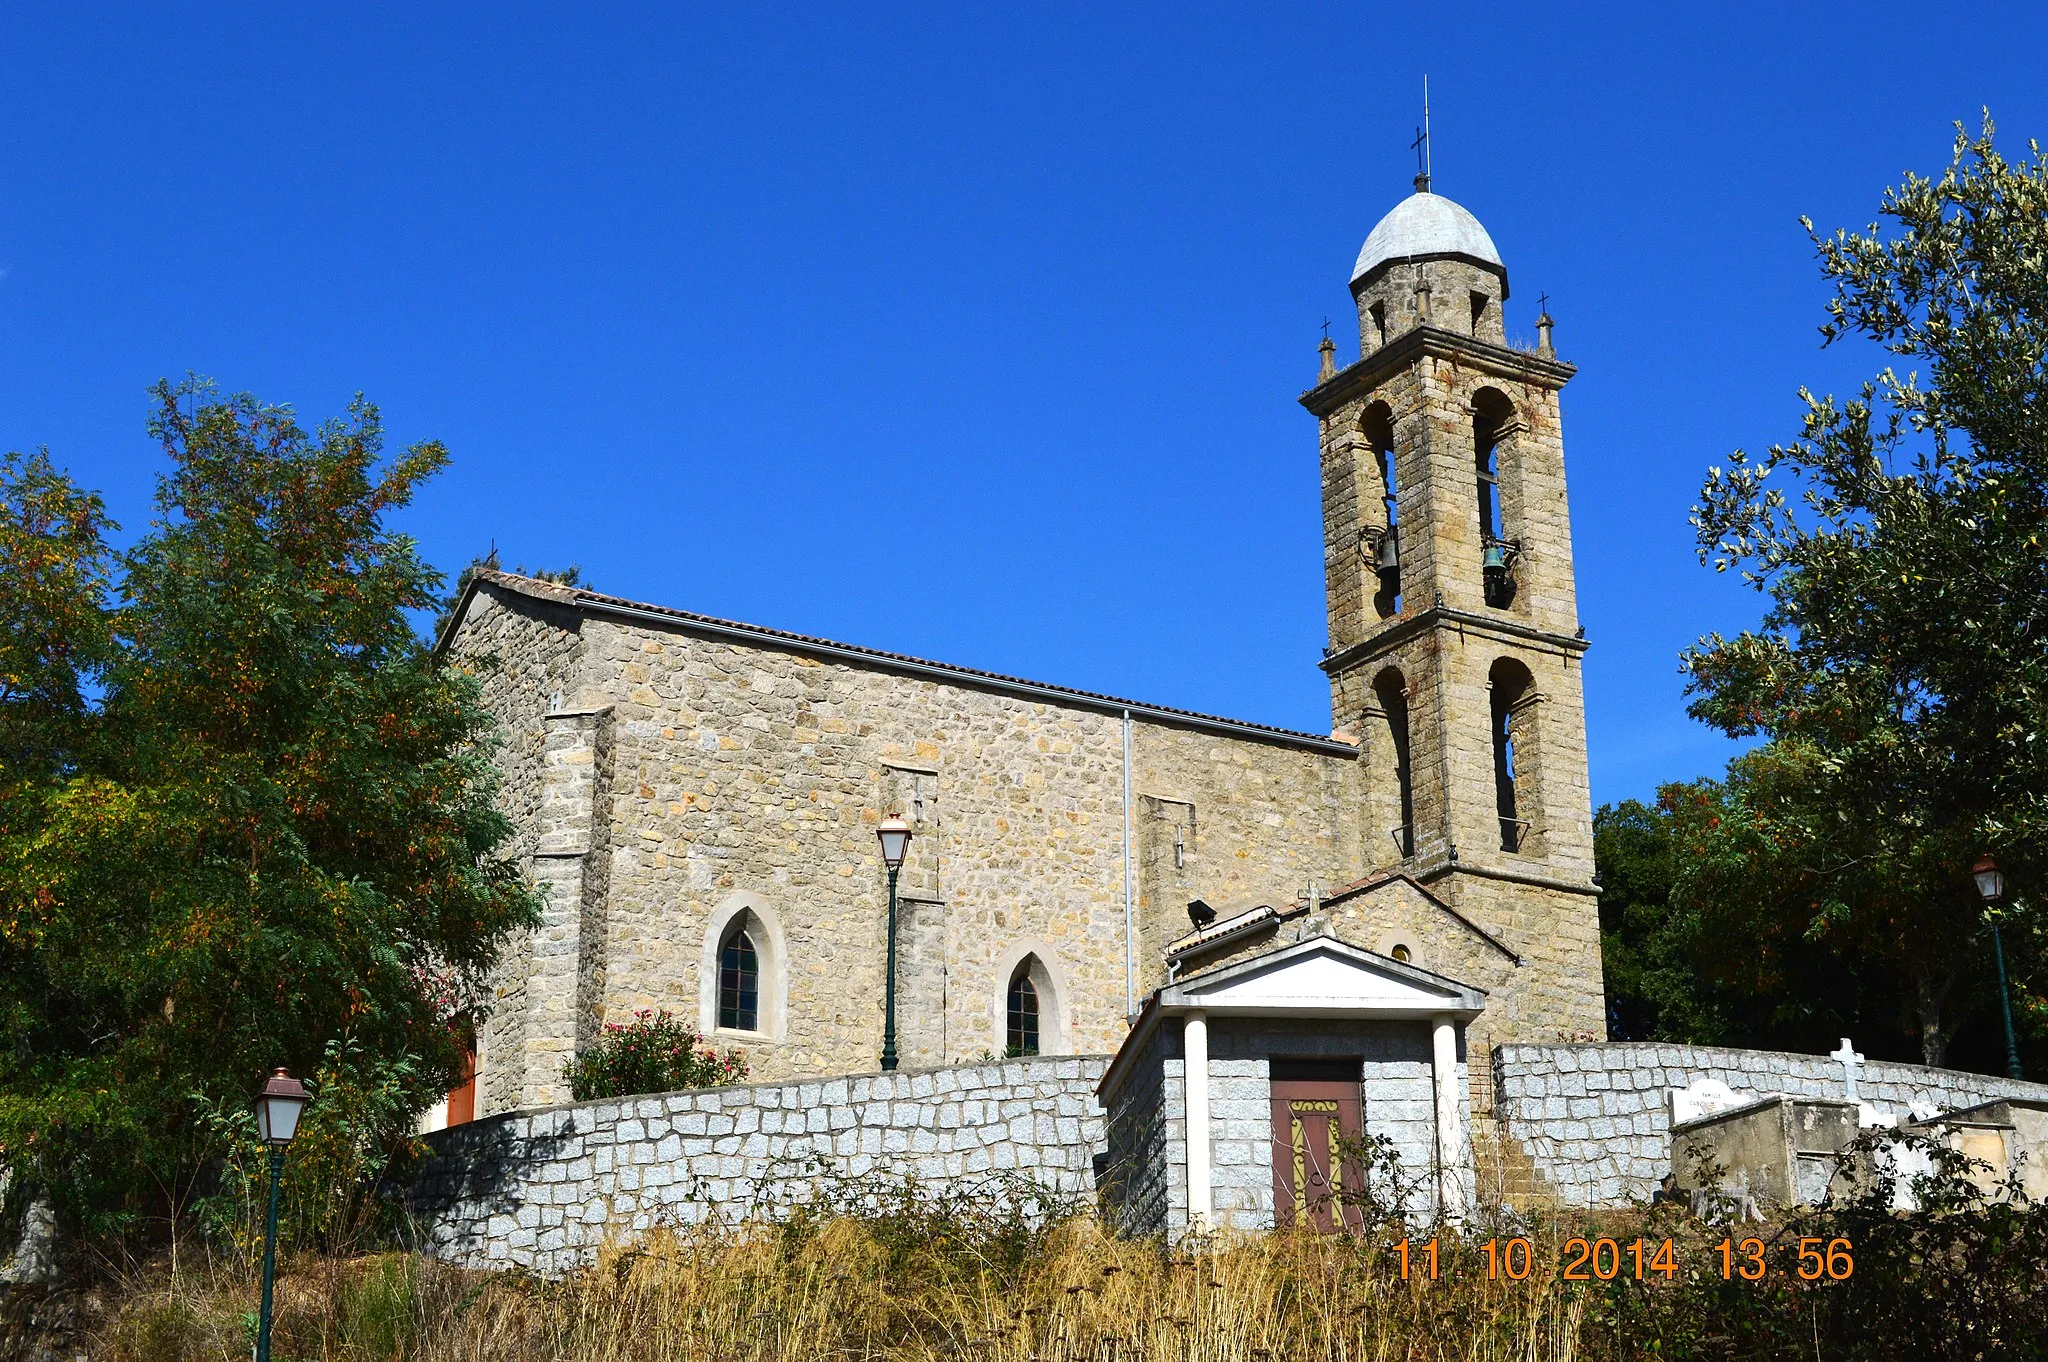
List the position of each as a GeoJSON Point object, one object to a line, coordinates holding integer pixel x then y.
{"type": "Point", "coordinates": [699, 798]}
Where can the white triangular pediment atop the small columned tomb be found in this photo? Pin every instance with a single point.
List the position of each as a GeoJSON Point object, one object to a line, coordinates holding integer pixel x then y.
{"type": "Point", "coordinates": [1324, 976]}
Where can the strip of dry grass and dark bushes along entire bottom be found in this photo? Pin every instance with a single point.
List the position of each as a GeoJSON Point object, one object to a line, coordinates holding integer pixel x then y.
{"type": "Point", "coordinates": [861, 1269]}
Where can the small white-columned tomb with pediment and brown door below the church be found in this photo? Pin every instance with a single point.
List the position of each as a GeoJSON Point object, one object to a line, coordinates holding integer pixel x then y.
{"type": "Point", "coordinates": [1230, 1097]}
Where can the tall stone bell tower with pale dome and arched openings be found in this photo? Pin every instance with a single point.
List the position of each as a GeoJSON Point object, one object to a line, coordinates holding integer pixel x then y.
{"type": "Point", "coordinates": [1455, 638]}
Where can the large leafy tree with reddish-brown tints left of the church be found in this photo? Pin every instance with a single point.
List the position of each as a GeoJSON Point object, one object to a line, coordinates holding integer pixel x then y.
{"type": "Point", "coordinates": [275, 835]}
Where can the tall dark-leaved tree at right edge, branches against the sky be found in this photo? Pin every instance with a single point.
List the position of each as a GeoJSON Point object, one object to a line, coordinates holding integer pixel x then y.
{"type": "Point", "coordinates": [1902, 673]}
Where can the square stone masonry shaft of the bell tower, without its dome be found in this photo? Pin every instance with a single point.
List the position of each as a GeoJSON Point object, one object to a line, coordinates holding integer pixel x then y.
{"type": "Point", "coordinates": [1439, 654]}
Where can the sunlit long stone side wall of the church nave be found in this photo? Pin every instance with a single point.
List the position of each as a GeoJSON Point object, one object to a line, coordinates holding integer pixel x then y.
{"type": "Point", "coordinates": [757, 775]}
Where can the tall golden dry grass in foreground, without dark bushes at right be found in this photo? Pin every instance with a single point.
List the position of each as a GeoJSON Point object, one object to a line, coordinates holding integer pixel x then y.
{"type": "Point", "coordinates": [853, 1289]}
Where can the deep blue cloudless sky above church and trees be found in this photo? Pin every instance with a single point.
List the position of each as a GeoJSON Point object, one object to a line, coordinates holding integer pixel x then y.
{"type": "Point", "coordinates": [962, 331]}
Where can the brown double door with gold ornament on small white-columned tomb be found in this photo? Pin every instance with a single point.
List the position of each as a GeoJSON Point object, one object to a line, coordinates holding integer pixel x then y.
{"type": "Point", "coordinates": [1316, 1107]}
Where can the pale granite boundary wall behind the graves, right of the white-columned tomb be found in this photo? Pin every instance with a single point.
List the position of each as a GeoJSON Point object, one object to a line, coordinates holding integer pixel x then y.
{"type": "Point", "coordinates": [1598, 1125]}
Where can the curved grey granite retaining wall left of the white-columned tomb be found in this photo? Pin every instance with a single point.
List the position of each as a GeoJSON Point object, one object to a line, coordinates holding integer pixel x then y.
{"type": "Point", "coordinates": [546, 1189]}
